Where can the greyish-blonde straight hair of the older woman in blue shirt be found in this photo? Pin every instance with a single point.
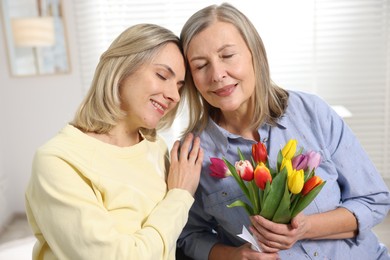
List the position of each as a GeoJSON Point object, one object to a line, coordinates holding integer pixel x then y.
{"type": "Point", "coordinates": [270, 100]}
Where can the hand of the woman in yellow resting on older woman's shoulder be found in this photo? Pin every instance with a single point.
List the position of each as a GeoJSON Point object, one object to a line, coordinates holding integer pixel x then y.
{"type": "Point", "coordinates": [186, 164]}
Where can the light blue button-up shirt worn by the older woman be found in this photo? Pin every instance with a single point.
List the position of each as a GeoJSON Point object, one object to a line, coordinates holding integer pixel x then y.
{"type": "Point", "coordinates": [352, 182]}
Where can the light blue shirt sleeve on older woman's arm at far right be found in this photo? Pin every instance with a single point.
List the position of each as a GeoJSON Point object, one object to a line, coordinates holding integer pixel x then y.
{"type": "Point", "coordinates": [363, 191]}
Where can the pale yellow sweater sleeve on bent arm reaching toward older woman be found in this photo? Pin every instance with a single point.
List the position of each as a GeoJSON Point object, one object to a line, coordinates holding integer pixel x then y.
{"type": "Point", "coordinates": [57, 193]}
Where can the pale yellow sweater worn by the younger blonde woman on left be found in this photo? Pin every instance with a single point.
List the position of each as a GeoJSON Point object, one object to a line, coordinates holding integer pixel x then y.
{"type": "Point", "coordinates": [87, 199]}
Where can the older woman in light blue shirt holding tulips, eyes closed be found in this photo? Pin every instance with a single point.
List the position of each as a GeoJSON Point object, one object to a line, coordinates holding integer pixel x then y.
{"type": "Point", "coordinates": [234, 104]}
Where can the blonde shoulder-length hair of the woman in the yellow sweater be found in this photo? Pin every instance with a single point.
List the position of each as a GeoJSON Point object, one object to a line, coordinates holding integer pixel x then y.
{"type": "Point", "coordinates": [100, 110]}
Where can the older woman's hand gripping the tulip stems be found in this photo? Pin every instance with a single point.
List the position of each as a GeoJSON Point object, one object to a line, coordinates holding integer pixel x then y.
{"type": "Point", "coordinates": [273, 237]}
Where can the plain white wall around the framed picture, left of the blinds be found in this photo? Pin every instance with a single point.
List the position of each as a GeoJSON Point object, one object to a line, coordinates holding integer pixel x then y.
{"type": "Point", "coordinates": [32, 109]}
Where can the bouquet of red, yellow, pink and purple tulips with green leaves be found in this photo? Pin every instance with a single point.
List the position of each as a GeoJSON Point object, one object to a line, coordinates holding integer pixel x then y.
{"type": "Point", "coordinates": [277, 194]}
